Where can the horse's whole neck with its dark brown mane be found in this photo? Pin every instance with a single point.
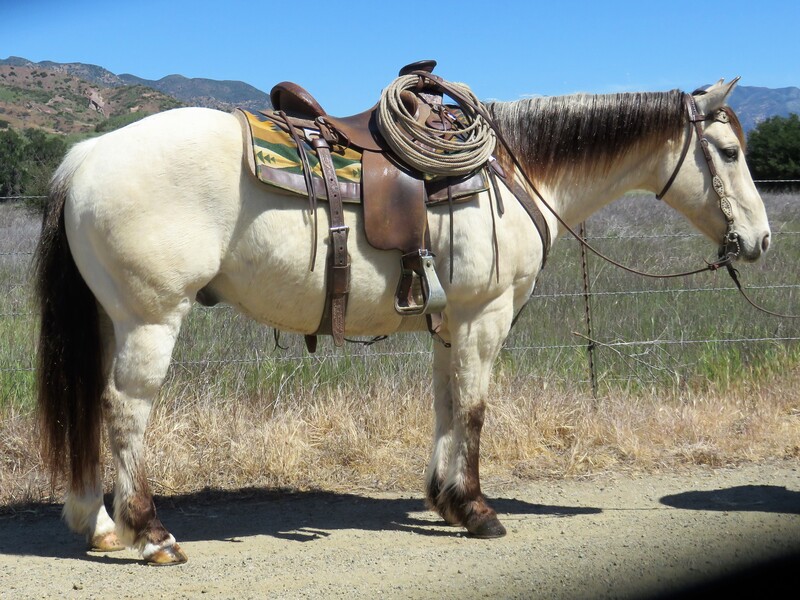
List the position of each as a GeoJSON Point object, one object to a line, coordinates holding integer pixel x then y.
{"type": "Point", "coordinates": [585, 151]}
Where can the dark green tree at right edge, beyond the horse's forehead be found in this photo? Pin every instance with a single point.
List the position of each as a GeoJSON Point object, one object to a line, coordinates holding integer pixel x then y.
{"type": "Point", "coordinates": [773, 148]}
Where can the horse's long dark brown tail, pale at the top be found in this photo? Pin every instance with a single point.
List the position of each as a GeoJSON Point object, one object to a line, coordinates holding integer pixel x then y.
{"type": "Point", "coordinates": [69, 355]}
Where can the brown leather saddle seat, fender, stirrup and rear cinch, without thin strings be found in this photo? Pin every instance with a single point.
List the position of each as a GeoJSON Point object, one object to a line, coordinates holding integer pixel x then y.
{"type": "Point", "coordinates": [394, 203]}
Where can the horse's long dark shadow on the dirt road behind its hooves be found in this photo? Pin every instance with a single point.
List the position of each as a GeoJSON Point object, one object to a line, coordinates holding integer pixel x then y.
{"type": "Point", "coordinates": [228, 515]}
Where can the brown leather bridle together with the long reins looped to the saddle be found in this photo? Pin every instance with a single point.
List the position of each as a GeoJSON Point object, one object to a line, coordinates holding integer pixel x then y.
{"type": "Point", "coordinates": [730, 247]}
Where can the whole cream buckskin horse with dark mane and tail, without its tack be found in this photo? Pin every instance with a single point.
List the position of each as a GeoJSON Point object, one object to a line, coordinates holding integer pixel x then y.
{"type": "Point", "coordinates": [144, 220]}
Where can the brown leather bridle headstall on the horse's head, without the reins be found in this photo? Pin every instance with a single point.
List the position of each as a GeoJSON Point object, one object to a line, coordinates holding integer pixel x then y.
{"type": "Point", "coordinates": [729, 248]}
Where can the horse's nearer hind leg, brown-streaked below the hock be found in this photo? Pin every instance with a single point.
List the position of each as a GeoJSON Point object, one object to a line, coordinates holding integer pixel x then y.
{"type": "Point", "coordinates": [142, 357]}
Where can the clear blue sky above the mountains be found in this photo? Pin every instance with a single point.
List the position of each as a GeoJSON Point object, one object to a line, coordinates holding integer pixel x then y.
{"type": "Point", "coordinates": [346, 52]}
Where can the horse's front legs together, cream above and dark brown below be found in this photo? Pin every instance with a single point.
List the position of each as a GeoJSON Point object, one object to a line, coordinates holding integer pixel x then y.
{"type": "Point", "coordinates": [454, 476]}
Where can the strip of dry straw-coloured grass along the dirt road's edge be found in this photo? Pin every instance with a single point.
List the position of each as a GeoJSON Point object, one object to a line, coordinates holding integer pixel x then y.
{"type": "Point", "coordinates": [346, 440]}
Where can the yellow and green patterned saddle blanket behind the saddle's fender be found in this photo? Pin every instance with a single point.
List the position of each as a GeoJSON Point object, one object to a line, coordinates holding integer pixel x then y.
{"type": "Point", "coordinates": [274, 160]}
